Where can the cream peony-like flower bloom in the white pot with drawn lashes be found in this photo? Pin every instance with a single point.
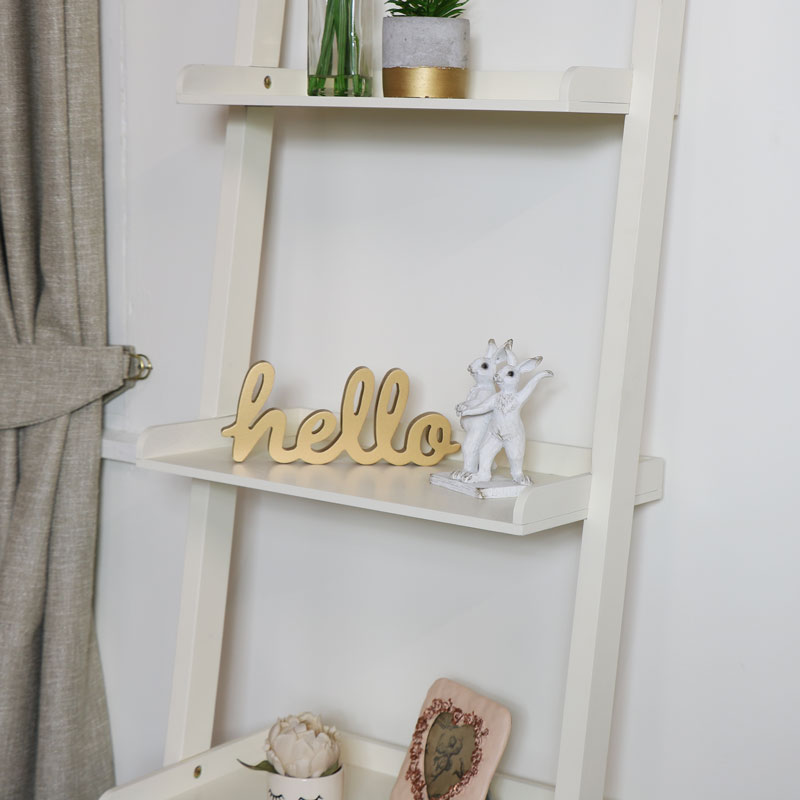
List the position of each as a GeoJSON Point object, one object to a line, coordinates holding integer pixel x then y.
{"type": "Point", "coordinates": [302, 747]}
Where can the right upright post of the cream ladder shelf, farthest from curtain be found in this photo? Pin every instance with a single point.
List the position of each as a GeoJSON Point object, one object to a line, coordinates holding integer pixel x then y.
{"type": "Point", "coordinates": [633, 276]}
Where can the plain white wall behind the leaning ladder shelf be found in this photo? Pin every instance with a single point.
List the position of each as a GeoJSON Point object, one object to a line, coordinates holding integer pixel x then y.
{"type": "Point", "coordinates": [510, 217]}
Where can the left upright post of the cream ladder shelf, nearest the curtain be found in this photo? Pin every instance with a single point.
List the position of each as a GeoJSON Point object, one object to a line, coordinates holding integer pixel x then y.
{"type": "Point", "coordinates": [248, 146]}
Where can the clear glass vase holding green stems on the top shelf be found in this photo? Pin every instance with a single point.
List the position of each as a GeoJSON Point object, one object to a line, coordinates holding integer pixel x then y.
{"type": "Point", "coordinates": [339, 53]}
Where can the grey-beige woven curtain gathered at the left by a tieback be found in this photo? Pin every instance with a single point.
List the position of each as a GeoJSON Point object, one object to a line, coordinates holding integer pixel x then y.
{"type": "Point", "coordinates": [54, 368]}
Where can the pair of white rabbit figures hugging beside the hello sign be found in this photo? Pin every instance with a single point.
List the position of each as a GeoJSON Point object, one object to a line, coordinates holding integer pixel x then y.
{"type": "Point", "coordinates": [490, 414]}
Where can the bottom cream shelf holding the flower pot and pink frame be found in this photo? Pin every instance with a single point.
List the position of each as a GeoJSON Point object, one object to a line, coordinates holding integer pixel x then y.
{"type": "Point", "coordinates": [371, 769]}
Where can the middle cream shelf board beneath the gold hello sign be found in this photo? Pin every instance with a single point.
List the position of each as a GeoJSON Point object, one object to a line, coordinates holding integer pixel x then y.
{"type": "Point", "coordinates": [559, 495]}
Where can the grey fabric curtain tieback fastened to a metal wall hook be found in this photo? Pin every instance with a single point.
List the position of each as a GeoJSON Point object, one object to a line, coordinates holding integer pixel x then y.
{"type": "Point", "coordinates": [42, 382]}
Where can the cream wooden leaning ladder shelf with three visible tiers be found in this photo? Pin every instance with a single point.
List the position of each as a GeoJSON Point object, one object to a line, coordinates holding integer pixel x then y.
{"type": "Point", "coordinates": [599, 486]}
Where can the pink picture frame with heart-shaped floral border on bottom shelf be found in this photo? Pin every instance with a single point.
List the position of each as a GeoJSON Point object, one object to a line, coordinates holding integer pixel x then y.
{"type": "Point", "coordinates": [457, 743]}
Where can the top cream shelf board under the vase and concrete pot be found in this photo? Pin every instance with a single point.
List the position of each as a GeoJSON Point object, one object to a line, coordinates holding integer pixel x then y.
{"type": "Point", "coordinates": [586, 90]}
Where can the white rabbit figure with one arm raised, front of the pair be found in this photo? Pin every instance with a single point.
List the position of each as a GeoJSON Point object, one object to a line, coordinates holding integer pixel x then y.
{"type": "Point", "coordinates": [505, 428]}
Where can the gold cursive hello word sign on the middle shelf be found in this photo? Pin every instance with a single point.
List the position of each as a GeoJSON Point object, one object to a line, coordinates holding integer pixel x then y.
{"type": "Point", "coordinates": [427, 439]}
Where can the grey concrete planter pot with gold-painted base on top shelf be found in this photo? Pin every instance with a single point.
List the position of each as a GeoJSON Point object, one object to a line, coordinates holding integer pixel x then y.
{"type": "Point", "coordinates": [425, 56]}
